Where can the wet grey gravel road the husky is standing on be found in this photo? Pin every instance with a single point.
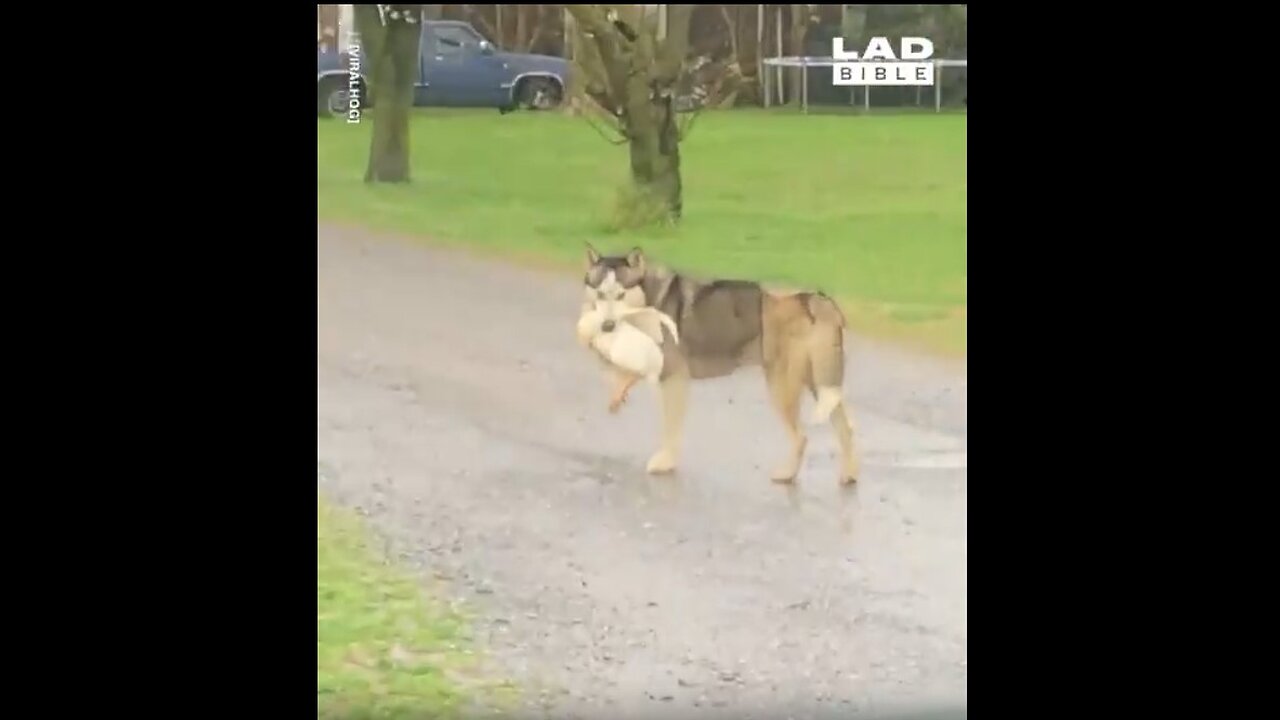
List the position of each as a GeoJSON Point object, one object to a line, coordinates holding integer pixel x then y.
{"type": "Point", "coordinates": [459, 416]}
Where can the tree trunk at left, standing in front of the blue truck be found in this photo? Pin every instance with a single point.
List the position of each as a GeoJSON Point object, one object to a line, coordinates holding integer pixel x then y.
{"type": "Point", "coordinates": [392, 48]}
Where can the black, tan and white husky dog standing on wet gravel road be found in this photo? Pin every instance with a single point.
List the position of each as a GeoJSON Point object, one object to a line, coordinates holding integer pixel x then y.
{"type": "Point", "coordinates": [726, 325]}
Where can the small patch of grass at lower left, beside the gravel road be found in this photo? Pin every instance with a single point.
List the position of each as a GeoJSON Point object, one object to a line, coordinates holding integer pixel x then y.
{"type": "Point", "coordinates": [383, 649]}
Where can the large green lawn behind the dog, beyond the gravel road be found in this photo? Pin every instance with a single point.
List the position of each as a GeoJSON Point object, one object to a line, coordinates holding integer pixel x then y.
{"type": "Point", "coordinates": [871, 209]}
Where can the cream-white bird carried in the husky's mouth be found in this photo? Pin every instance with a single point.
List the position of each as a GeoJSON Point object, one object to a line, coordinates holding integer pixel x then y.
{"type": "Point", "coordinates": [629, 340]}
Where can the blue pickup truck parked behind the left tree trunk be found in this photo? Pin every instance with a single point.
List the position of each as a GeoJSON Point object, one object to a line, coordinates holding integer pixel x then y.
{"type": "Point", "coordinates": [456, 69]}
